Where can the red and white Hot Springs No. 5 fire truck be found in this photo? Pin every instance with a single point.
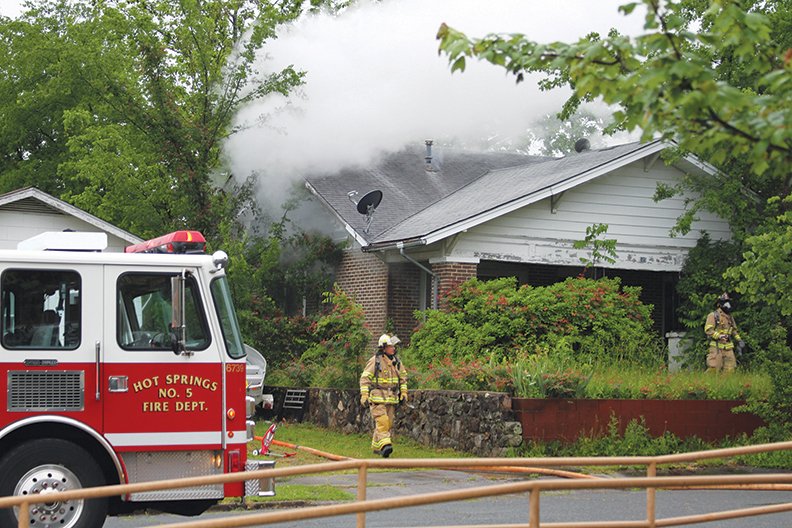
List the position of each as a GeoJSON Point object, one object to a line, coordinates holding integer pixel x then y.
{"type": "Point", "coordinates": [119, 368]}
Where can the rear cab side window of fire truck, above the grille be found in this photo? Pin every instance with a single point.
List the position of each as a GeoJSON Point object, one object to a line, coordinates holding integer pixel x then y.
{"type": "Point", "coordinates": [41, 309]}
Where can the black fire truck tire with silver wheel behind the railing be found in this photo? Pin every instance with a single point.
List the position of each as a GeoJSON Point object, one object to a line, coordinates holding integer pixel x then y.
{"type": "Point", "coordinates": [49, 466]}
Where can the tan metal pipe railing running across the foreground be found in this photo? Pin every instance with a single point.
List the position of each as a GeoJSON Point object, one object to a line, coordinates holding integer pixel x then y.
{"type": "Point", "coordinates": [651, 482]}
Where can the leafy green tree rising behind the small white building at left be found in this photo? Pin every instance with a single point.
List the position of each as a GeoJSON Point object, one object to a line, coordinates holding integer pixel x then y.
{"type": "Point", "coordinates": [113, 103]}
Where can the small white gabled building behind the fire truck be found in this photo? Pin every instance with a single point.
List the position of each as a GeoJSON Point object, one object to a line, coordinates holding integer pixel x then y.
{"type": "Point", "coordinates": [28, 212]}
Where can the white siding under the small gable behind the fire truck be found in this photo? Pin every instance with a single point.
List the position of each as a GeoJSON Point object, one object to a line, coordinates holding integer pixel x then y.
{"type": "Point", "coordinates": [16, 226]}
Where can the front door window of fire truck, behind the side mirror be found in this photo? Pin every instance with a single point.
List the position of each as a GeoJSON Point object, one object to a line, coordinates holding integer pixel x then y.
{"type": "Point", "coordinates": [145, 313]}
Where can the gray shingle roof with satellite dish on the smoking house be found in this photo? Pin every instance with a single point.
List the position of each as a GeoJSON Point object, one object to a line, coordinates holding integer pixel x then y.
{"type": "Point", "coordinates": [467, 185]}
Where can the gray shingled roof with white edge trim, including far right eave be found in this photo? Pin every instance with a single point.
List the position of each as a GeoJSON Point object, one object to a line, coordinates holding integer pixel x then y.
{"type": "Point", "coordinates": [427, 213]}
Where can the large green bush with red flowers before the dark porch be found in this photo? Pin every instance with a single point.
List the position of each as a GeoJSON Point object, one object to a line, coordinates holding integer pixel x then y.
{"type": "Point", "coordinates": [594, 320]}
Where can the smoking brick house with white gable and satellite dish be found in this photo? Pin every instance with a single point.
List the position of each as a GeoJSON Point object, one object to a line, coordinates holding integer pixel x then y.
{"type": "Point", "coordinates": [446, 216]}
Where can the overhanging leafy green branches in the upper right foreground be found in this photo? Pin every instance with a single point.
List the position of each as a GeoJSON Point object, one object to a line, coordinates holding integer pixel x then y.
{"type": "Point", "coordinates": [664, 81]}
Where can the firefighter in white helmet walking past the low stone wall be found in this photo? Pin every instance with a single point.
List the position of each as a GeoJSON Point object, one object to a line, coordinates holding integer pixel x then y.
{"type": "Point", "coordinates": [383, 385]}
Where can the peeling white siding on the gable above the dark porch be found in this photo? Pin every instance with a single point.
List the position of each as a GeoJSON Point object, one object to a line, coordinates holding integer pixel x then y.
{"type": "Point", "coordinates": [622, 199]}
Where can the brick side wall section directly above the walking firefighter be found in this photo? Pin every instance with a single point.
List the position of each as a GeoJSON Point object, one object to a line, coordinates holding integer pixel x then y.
{"type": "Point", "coordinates": [364, 277]}
